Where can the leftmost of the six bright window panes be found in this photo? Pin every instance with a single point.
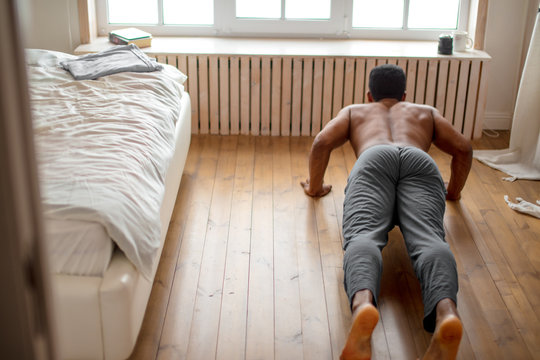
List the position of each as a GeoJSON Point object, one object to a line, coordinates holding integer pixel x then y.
{"type": "Point", "coordinates": [133, 11]}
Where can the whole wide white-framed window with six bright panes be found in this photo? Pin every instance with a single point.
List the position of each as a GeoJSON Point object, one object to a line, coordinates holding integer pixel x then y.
{"type": "Point", "coordinates": [380, 19]}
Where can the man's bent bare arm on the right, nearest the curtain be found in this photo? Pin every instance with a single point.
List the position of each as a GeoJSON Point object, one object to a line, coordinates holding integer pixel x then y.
{"type": "Point", "coordinates": [452, 142]}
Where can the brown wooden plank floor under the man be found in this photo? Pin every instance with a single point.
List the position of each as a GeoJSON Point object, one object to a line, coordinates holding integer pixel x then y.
{"type": "Point", "coordinates": [252, 268]}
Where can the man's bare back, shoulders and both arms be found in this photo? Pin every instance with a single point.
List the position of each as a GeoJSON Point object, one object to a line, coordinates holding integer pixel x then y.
{"type": "Point", "coordinates": [389, 121]}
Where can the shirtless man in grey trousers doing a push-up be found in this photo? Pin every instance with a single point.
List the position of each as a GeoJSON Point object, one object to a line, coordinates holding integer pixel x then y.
{"type": "Point", "coordinates": [395, 182]}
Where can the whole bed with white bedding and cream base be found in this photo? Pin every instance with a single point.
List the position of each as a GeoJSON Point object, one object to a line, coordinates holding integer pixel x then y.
{"type": "Point", "coordinates": [110, 156]}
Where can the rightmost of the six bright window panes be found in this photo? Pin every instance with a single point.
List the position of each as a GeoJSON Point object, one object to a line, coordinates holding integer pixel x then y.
{"type": "Point", "coordinates": [433, 14]}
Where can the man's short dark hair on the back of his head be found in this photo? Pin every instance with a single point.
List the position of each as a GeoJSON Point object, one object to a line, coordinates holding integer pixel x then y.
{"type": "Point", "coordinates": [387, 81]}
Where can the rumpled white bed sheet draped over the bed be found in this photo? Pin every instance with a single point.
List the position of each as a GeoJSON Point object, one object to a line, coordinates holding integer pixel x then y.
{"type": "Point", "coordinates": [99, 142]}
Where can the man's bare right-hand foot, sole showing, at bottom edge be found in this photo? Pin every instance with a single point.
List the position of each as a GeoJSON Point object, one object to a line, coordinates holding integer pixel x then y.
{"type": "Point", "coordinates": [445, 341]}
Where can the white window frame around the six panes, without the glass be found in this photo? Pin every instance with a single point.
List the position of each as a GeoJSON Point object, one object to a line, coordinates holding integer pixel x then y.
{"type": "Point", "coordinates": [227, 25]}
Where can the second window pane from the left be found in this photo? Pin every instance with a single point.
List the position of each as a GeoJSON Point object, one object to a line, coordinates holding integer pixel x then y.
{"type": "Point", "coordinates": [188, 12]}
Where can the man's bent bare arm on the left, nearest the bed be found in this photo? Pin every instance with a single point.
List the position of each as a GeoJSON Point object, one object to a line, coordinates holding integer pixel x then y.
{"type": "Point", "coordinates": [334, 134]}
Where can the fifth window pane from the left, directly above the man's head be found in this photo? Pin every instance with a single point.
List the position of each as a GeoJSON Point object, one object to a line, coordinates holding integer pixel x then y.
{"type": "Point", "coordinates": [377, 14]}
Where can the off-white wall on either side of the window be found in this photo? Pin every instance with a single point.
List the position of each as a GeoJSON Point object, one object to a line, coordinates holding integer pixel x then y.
{"type": "Point", "coordinates": [55, 26]}
